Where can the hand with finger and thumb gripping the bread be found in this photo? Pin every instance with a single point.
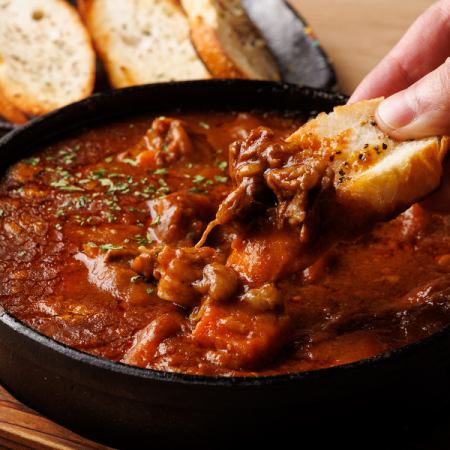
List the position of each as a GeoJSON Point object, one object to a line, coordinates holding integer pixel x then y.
{"type": "Point", "coordinates": [415, 78]}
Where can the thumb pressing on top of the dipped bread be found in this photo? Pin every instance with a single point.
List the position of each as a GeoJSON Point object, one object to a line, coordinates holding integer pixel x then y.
{"type": "Point", "coordinates": [421, 110]}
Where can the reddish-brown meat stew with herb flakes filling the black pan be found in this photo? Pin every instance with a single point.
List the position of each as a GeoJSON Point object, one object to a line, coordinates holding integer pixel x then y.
{"type": "Point", "coordinates": [194, 243]}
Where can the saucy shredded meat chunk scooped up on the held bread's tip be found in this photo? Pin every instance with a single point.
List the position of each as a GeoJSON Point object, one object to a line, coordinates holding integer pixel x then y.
{"type": "Point", "coordinates": [269, 173]}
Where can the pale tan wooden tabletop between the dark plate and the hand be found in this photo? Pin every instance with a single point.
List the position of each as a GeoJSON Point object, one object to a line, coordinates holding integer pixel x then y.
{"type": "Point", "coordinates": [356, 34]}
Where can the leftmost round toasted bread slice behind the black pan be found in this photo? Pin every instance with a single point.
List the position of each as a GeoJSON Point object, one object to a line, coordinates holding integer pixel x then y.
{"type": "Point", "coordinates": [46, 56]}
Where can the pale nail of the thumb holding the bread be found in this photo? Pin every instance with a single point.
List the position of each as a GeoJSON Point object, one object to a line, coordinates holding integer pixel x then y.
{"type": "Point", "coordinates": [395, 112]}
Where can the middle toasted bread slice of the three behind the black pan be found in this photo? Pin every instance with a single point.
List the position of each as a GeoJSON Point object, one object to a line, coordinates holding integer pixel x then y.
{"type": "Point", "coordinates": [142, 41]}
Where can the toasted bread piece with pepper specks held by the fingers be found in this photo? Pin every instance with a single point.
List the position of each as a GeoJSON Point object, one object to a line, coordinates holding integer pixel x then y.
{"type": "Point", "coordinates": [374, 174]}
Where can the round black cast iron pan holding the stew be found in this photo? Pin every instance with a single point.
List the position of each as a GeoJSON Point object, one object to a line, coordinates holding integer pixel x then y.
{"type": "Point", "coordinates": [123, 405]}
